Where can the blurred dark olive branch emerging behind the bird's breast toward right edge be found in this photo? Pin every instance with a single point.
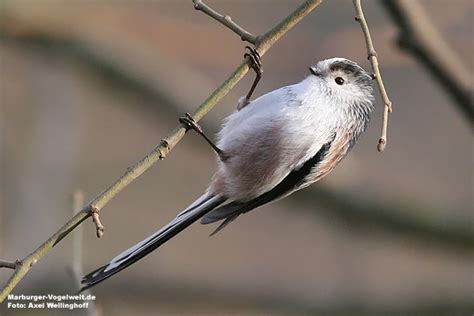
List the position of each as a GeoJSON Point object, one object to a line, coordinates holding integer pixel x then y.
{"type": "Point", "coordinates": [400, 219]}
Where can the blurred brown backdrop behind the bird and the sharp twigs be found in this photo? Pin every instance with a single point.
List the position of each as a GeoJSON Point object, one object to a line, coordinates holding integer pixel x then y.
{"type": "Point", "coordinates": [89, 87]}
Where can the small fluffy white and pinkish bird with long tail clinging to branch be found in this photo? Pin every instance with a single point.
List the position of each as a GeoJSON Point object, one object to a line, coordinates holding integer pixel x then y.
{"type": "Point", "coordinates": [269, 148]}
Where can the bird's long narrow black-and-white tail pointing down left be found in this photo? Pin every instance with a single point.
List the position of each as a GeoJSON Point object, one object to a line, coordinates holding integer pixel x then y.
{"type": "Point", "coordinates": [203, 205]}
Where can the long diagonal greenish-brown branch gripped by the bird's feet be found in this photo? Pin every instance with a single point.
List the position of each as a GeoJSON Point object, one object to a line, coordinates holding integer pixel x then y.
{"type": "Point", "coordinates": [159, 152]}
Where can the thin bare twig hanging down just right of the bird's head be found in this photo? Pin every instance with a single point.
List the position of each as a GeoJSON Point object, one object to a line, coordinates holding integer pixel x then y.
{"type": "Point", "coordinates": [372, 56]}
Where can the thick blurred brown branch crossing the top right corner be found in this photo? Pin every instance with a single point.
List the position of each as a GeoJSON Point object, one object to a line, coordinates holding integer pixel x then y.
{"type": "Point", "coordinates": [418, 36]}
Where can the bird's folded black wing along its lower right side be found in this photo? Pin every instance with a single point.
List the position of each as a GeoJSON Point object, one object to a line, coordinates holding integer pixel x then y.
{"type": "Point", "coordinates": [293, 181]}
